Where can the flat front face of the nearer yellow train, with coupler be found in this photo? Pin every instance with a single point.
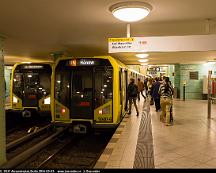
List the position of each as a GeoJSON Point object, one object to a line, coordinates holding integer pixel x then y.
{"type": "Point", "coordinates": [83, 92]}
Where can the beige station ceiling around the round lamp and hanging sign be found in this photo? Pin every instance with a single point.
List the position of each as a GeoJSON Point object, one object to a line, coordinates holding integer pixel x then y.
{"type": "Point", "coordinates": [36, 29]}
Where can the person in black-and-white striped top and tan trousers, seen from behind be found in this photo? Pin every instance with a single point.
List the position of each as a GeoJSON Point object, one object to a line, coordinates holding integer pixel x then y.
{"type": "Point", "coordinates": [166, 93]}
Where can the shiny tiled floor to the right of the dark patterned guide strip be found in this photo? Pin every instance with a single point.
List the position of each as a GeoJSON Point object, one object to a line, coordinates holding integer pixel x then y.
{"type": "Point", "coordinates": [190, 142]}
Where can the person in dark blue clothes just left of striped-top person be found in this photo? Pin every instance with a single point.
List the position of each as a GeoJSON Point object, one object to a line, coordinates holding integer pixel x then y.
{"type": "Point", "coordinates": [155, 94]}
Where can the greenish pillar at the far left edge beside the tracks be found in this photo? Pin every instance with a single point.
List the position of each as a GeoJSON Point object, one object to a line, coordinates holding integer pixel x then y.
{"type": "Point", "coordinates": [2, 107]}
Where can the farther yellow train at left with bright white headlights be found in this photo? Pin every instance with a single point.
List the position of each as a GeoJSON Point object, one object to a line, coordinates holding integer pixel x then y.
{"type": "Point", "coordinates": [31, 88]}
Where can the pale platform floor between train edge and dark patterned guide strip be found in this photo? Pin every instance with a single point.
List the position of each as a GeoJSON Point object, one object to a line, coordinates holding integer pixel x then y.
{"type": "Point", "coordinates": [123, 143]}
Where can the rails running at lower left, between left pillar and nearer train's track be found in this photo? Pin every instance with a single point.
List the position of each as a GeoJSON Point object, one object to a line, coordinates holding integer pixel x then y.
{"type": "Point", "coordinates": [20, 150]}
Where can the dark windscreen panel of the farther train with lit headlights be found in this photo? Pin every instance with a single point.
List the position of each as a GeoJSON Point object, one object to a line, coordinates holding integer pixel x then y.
{"type": "Point", "coordinates": [31, 83]}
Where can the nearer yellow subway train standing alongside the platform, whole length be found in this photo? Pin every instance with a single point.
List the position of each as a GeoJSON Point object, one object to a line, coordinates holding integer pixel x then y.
{"type": "Point", "coordinates": [90, 92]}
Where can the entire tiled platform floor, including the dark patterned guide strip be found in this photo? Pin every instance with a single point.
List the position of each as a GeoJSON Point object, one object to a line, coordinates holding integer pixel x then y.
{"type": "Point", "coordinates": [145, 142]}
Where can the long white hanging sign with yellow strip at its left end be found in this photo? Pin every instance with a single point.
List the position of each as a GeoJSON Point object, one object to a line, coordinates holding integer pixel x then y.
{"type": "Point", "coordinates": [163, 44]}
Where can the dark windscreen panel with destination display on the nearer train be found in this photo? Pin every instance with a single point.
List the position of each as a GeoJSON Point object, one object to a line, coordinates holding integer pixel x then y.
{"type": "Point", "coordinates": [83, 85]}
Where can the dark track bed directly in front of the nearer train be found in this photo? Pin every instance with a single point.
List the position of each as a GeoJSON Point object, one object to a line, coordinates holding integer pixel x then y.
{"type": "Point", "coordinates": [74, 152]}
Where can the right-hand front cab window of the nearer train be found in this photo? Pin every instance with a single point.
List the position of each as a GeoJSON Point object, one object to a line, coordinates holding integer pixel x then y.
{"type": "Point", "coordinates": [103, 85]}
